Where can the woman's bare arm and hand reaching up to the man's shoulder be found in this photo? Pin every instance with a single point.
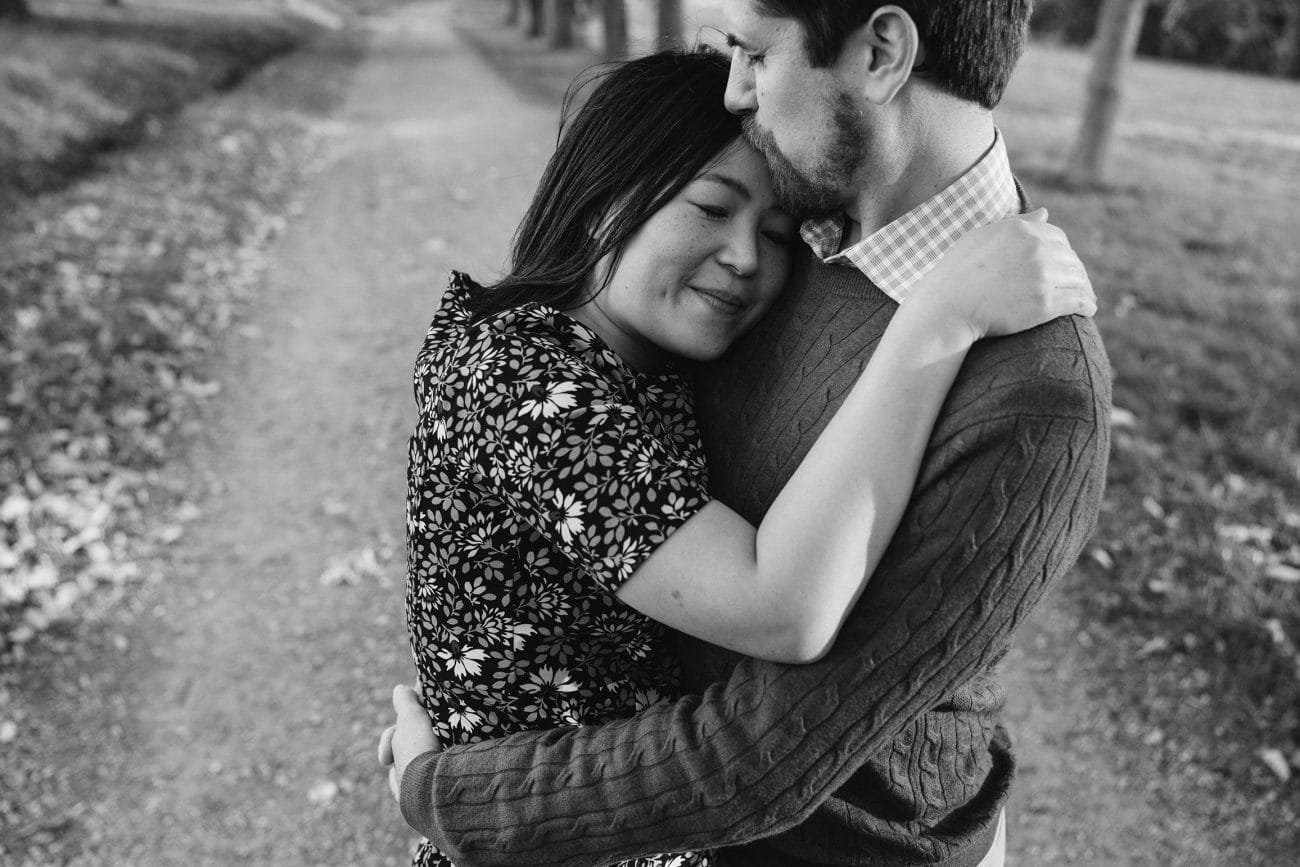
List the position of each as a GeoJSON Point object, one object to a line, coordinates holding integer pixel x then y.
{"type": "Point", "coordinates": [782, 591]}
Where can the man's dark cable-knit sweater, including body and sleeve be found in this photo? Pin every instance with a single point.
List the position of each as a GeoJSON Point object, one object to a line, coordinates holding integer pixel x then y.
{"type": "Point", "coordinates": [886, 752]}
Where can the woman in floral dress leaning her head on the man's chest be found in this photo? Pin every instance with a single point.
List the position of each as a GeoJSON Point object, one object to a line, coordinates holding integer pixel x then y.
{"type": "Point", "coordinates": [558, 504]}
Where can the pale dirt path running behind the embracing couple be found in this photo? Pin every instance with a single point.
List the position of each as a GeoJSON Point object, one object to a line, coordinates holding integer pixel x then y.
{"type": "Point", "coordinates": [232, 718]}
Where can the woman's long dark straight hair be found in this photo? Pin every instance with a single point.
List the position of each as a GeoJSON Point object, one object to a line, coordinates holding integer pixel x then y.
{"type": "Point", "coordinates": [648, 129]}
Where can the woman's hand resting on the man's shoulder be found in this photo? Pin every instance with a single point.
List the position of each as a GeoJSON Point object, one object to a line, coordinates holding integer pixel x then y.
{"type": "Point", "coordinates": [1007, 278]}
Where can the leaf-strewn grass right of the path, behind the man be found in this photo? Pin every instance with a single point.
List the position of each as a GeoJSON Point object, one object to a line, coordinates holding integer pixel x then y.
{"type": "Point", "coordinates": [1190, 595]}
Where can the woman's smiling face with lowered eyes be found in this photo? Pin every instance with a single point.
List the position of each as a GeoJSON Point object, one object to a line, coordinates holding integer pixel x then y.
{"type": "Point", "coordinates": [701, 271]}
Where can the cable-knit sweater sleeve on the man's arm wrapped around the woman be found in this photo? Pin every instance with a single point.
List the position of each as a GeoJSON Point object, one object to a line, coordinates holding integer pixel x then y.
{"type": "Point", "coordinates": [1008, 496]}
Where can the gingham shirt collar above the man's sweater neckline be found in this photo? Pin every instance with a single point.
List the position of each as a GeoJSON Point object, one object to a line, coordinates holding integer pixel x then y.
{"type": "Point", "coordinates": [900, 254]}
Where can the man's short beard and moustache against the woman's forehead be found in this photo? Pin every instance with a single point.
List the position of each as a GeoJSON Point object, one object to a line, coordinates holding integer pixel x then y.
{"type": "Point", "coordinates": [821, 190]}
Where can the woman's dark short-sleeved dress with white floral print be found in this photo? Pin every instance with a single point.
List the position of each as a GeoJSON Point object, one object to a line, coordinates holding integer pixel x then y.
{"type": "Point", "coordinates": [543, 471]}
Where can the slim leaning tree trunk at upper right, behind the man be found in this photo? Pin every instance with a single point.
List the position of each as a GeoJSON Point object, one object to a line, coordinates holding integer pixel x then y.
{"type": "Point", "coordinates": [1113, 47]}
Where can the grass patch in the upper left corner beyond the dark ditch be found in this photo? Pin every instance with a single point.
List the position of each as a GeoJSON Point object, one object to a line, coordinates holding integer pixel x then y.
{"type": "Point", "coordinates": [83, 79]}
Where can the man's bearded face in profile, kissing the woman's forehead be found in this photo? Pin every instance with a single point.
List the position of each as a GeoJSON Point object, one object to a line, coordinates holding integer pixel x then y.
{"type": "Point", "coordinates": [803, 120]}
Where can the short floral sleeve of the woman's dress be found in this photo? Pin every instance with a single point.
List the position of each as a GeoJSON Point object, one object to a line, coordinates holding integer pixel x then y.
{"type": "Point", "coordinates": [603, 480]}
